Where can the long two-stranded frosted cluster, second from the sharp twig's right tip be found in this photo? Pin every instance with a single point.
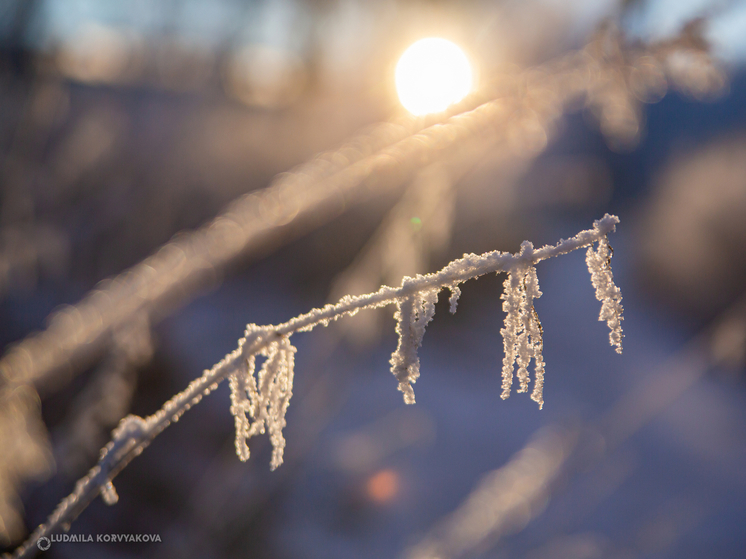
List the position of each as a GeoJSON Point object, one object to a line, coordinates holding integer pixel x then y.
{"type": "Point", "coordinates": [522, 334]}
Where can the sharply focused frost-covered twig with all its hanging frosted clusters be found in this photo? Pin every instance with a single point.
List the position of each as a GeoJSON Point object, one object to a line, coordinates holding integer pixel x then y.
{"type": "Point", "coordinates": [259, 401]}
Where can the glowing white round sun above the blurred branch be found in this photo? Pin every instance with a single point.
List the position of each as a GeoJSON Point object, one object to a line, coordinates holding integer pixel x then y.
{"type": "Point", "coordinates": [431, 75]}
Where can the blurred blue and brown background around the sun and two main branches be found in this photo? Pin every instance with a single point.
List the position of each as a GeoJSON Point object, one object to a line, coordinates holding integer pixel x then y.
{"type": "Point", "coordinates": [123, 123]}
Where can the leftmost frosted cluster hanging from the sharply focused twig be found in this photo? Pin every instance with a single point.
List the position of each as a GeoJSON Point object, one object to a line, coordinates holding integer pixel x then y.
{"type": "Point", "coordinates": [265, 398]}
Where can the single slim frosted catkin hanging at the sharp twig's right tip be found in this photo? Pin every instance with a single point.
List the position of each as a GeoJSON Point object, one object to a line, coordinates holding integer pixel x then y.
{"type": "Point", "coordinates": [599, 265]}
